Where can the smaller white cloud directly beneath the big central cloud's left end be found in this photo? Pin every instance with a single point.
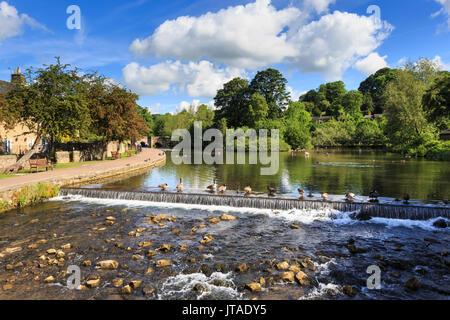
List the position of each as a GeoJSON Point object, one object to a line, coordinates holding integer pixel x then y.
{"type": "Point", "coordinates": [201, 79]}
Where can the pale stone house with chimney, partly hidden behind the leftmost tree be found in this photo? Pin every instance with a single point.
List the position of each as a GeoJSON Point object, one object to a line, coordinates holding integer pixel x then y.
{"type": "Point", "coordinates": [15, 141]}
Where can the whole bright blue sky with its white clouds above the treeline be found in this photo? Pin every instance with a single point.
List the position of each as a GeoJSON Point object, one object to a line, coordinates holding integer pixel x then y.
{"type": "Point", "coordinates": [178, 52]}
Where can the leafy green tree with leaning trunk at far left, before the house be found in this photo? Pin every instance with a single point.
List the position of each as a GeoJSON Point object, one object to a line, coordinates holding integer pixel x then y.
{"type": "Point", "coordinates": [50, 105]}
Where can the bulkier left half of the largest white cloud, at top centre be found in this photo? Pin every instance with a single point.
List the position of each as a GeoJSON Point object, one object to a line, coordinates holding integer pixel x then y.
{"type": "Point", "coordinates": [248, 36]}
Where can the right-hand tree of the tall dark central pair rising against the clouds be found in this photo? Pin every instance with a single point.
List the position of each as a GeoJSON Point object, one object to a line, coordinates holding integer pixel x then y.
{"type": "Point", "coordinates": [271, 85]}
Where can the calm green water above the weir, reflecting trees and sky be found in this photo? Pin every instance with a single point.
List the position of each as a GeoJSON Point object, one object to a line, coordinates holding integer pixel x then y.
{"type": "Point", "coordinates": [354, 171]}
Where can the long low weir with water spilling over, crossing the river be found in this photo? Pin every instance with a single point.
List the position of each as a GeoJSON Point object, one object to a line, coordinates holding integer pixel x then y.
{"type": "Point", "coordinates": [413, 212]}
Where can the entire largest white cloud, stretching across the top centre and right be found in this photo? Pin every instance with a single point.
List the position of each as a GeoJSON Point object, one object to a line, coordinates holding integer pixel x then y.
{"type": "Point", "coordinates": [258, 35]}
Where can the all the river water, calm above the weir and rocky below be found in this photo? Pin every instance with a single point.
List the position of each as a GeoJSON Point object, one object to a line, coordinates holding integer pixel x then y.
{"type": "Point", "coordinates": [332, 249]}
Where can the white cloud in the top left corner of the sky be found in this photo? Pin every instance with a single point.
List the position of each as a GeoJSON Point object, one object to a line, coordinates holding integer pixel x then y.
{"type": "Point", "coordinates": [12, 23]}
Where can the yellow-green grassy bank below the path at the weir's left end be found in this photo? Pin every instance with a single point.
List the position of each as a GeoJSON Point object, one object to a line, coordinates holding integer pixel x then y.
{"type": "Point", "coordinates": [29, 195]}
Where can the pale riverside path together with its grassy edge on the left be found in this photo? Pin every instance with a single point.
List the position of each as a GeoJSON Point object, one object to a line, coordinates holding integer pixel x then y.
{"type": "Point", "coordinates": [24, 190]}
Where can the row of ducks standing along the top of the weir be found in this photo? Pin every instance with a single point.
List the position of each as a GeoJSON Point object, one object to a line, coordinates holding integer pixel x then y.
{"type": "Point", "coordinates": [349, 196]}
